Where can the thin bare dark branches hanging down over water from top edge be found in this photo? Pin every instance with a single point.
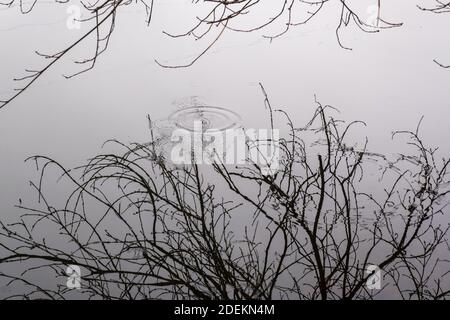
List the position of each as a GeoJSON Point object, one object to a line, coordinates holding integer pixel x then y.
{"type": "Point", "coordinates": [223, 15]}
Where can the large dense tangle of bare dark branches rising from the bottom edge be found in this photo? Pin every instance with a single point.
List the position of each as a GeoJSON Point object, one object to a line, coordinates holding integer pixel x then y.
{"type": "Point", "coordinates": [140, 227]}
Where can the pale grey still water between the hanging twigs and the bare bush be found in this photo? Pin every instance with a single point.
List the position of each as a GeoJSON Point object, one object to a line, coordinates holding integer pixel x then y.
{"type": "Point", "coordinates": [389, 80]}
